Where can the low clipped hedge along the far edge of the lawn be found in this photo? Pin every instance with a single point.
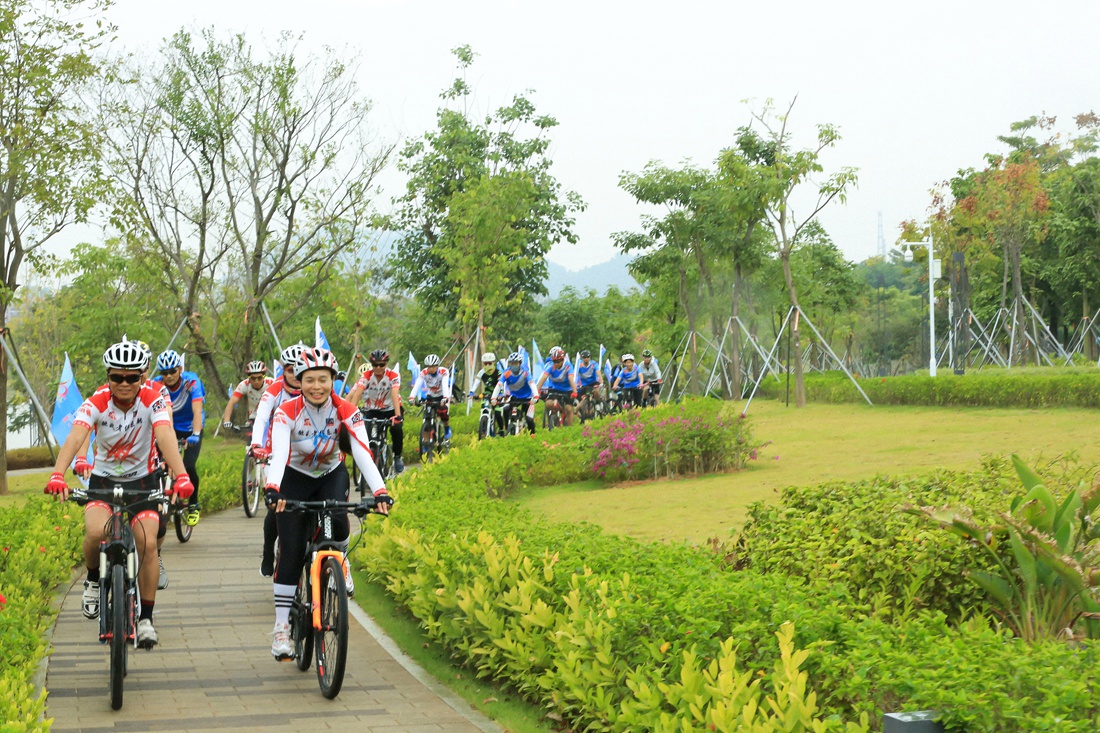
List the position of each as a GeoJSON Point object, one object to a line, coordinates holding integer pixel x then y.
{"type": "Point", "coordinates": [1072, 387]}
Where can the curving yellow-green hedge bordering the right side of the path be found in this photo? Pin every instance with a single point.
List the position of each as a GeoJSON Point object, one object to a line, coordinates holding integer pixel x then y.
{"type": "Point", "coordinates": [608, 632]}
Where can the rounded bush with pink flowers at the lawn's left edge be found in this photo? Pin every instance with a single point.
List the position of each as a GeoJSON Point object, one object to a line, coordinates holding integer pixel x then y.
{"type": "Point", "coordinates": [702, 436]}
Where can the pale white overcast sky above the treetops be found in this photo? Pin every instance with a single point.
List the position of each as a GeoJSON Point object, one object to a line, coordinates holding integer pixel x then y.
{"type": "Point", "coordinates": [919, 90]}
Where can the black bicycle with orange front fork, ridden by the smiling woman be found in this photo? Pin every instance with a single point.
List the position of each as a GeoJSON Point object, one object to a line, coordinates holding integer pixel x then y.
{"type": "Point", "coordinates": [320, 611]}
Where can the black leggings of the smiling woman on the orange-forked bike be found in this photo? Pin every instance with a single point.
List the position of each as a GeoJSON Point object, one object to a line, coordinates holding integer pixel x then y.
{"type": "Point", "coordinates": [296, 529]}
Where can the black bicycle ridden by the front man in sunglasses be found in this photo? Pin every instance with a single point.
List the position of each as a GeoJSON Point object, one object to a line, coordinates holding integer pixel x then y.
{"type": "Point", "coordinates": [119, 603]}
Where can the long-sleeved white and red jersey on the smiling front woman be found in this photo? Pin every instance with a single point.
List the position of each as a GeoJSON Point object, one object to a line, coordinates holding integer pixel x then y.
{"type": "Point", "coordinates": [306, 439]}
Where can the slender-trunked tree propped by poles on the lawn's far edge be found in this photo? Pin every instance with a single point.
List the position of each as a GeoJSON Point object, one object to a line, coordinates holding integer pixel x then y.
{"type": "Point", "coordinates": [787, 171]}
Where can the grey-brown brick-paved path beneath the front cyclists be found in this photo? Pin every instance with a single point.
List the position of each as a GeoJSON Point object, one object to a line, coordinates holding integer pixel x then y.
{"type": "Point", "coordinates": [213, 670]}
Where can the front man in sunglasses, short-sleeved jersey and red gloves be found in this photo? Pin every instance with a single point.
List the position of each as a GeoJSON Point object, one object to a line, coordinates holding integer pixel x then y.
{"type": "Point", "coordinates": [127, 415]}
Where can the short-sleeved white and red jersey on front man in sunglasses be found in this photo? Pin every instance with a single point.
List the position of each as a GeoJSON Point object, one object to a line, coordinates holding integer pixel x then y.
{"type": "Point", "coordinates": [125, 447]}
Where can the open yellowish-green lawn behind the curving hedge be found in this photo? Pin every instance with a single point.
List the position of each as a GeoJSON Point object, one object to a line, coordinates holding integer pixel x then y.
{"type": "Point", "coordinates": [821, 443]}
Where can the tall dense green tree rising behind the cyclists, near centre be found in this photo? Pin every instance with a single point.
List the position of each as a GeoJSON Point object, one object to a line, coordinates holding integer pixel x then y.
{"type": "Point", "coordinates": [465, 152]}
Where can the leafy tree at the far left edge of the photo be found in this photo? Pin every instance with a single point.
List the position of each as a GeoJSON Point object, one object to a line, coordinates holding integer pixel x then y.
{"type": "Point", "coordinates": [49, 145]}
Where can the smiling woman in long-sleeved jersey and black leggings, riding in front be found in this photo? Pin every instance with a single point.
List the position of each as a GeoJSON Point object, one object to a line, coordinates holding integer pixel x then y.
{"type": "Point", "coordinates": [307, 465]}
